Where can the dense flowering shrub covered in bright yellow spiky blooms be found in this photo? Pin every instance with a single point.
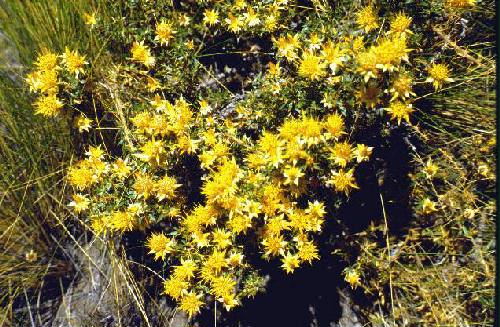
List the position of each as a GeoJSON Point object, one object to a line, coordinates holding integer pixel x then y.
{"type": "Point", "coordinates": [266, 155]}
